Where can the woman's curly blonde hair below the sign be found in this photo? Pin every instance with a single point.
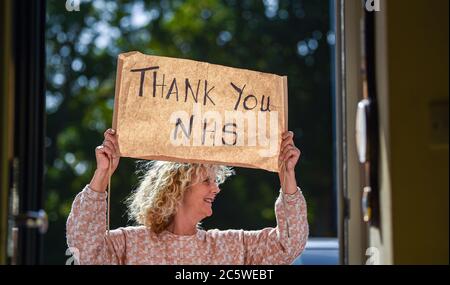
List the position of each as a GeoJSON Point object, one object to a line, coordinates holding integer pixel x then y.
{"type": "Point", "coordinates": [161, 189]}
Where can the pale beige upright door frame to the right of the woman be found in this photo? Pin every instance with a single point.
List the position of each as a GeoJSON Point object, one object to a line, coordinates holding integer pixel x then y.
{"type": "Point", "coordinates": [352, 230]}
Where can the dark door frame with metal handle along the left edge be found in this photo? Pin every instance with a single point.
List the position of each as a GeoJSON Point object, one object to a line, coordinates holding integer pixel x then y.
{"type": "Point", "coordinates": [22, 153]}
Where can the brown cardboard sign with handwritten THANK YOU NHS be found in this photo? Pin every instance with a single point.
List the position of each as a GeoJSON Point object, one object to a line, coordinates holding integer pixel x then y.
{"type": "Point", "coordinates": [189, 111]}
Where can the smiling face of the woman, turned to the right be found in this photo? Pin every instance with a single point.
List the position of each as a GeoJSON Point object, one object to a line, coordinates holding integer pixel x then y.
{"type": "Point", "coordinates": [199, 198]}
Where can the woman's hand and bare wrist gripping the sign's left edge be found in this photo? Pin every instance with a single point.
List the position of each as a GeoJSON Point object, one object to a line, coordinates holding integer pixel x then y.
{"type": "Point", "coordinates": [105, 153]}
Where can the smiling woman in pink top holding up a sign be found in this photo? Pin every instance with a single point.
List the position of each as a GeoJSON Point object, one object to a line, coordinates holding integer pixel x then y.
{"type": "Point", "coordinates": [169, 203]}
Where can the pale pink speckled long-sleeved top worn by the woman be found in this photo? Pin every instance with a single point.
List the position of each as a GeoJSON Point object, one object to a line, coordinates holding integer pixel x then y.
{"type": "Point", "coordinates": [89, 243]}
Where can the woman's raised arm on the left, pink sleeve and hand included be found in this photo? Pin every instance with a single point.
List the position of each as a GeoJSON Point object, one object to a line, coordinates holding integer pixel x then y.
{"type": "Point", "coordinates": [86, 225]}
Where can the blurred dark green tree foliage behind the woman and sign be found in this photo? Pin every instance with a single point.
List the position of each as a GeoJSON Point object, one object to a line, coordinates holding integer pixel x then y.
{"type": "Point", "coordinates": [277, 36]}
